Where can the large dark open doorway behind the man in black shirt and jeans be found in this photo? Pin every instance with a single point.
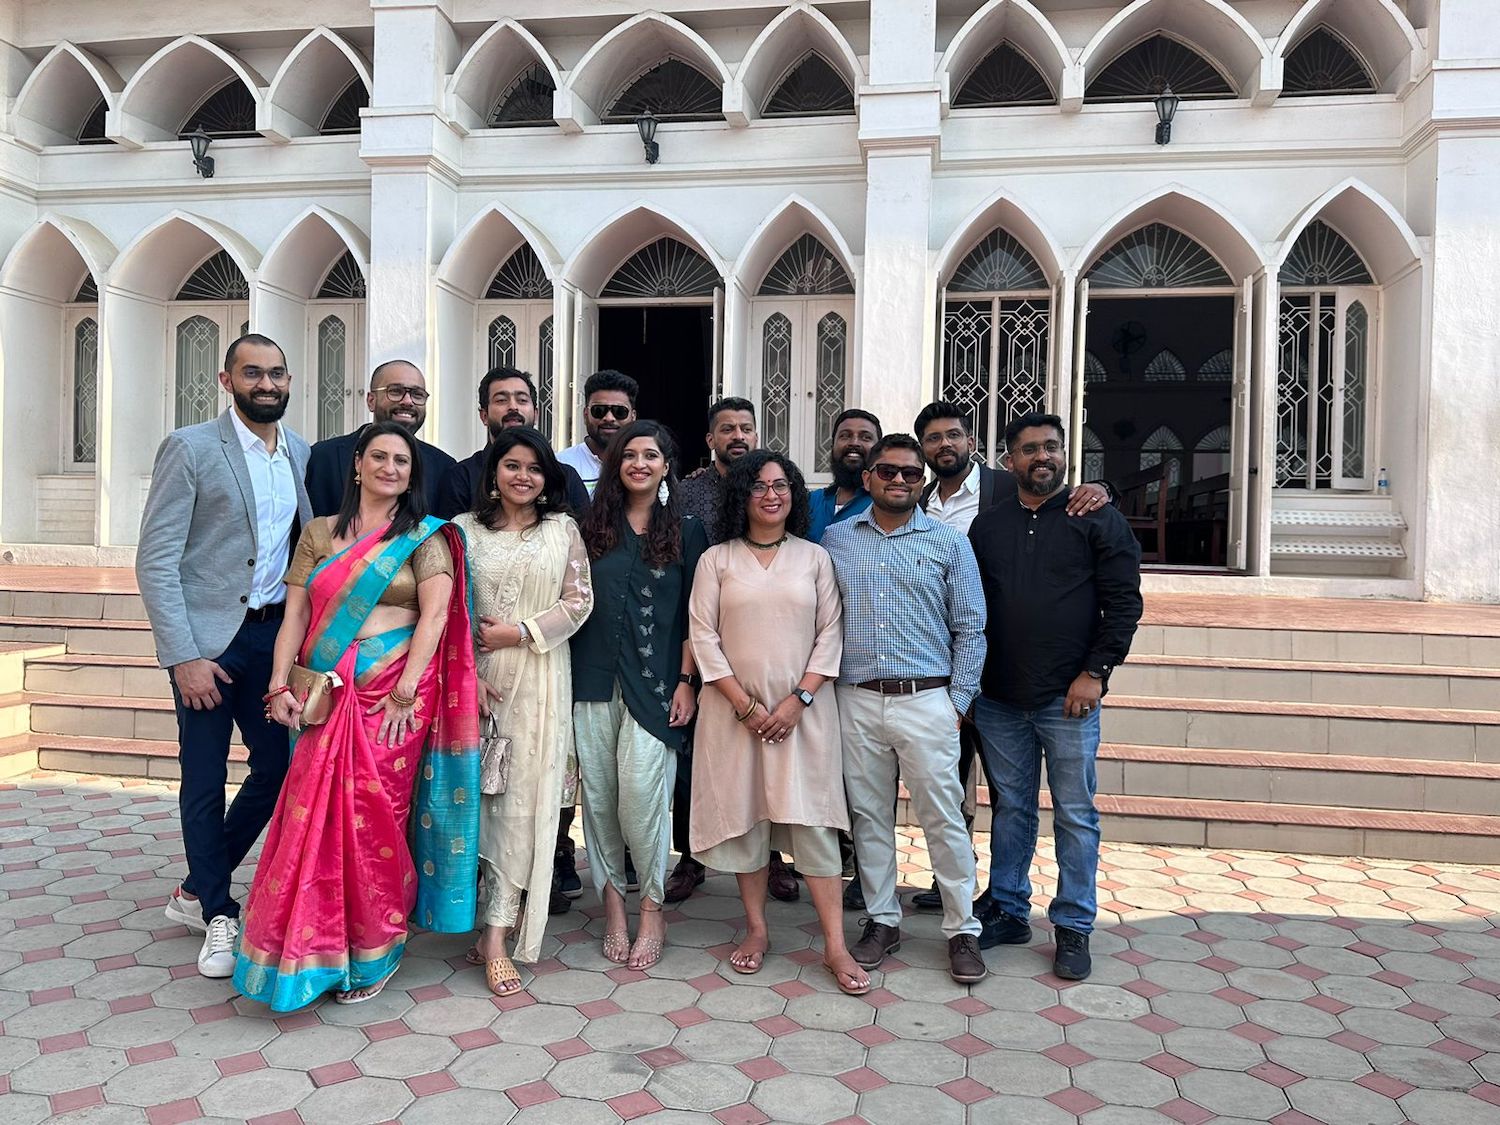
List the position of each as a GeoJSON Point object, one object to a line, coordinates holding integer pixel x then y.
{"type": "Point", "coordinates": [1159, 415]}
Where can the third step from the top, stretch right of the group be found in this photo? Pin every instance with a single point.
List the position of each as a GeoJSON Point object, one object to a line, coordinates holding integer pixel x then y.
{"type": "Point", "coordinates": [1430, 734]}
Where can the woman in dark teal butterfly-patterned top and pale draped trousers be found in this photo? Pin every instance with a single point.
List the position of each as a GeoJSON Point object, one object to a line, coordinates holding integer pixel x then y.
{"type": "Point", "coordinates": [634, 679]}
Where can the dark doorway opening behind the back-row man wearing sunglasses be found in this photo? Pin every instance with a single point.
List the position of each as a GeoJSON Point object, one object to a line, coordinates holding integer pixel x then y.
{"type": "Point", "coordinates": [670, 352]}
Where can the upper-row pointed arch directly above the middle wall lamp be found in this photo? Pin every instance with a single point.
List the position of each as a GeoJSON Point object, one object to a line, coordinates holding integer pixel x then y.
{"type": "Point", "coordinates": [625, 53]}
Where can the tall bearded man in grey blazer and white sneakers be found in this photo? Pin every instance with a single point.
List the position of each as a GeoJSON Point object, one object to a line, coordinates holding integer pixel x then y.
{"type": "Point", "coordinates": [226, 505]}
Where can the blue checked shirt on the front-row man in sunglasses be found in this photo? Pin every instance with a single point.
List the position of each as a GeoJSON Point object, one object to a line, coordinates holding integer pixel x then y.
{"type": "Point", "coordinates": [914, 607]}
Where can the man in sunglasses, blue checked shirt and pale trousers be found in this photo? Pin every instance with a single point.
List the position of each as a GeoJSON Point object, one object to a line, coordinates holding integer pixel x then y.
{"type": "Point", "coordinates": [914, 647]}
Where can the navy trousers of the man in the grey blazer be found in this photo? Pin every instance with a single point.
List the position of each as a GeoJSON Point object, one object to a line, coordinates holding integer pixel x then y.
{"type": "Point", "coordinates": [217, 841]}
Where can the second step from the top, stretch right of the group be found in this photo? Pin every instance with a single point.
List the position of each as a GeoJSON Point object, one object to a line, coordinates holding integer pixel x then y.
{"type": "Point", "coordinates": [1309, 682]}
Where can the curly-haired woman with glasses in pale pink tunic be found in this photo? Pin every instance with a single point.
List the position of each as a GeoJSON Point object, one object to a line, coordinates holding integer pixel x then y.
{"type": "Point", "coordinates": [767, 629]}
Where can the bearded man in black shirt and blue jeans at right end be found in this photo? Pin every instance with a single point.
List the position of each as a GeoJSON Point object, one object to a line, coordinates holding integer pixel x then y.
{"type": "Point", "coordinates": [1064, 599]}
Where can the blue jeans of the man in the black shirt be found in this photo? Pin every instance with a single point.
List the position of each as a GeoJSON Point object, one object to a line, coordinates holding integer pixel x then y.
{"type": "Point", "coordinates": [1015, 745]}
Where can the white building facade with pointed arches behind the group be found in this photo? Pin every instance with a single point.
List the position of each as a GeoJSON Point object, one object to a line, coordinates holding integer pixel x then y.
{"type": "Point", "coordinates": [1276, 334]}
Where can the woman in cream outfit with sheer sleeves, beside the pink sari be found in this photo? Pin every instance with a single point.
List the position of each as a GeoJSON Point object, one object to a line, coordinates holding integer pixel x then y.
{"type": "Point", "coordinates": [532, 593]}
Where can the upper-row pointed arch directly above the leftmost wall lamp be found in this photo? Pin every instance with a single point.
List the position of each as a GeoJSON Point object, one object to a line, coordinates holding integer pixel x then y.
{"type": "Point", "coordinates": [175, 80]}
